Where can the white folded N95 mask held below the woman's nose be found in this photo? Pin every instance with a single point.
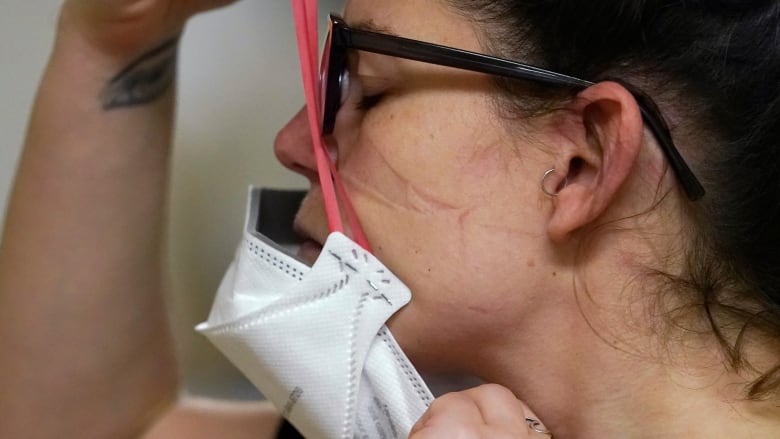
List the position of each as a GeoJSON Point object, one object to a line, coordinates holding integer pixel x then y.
{"type": "Point", "coordinates": [313, 339]}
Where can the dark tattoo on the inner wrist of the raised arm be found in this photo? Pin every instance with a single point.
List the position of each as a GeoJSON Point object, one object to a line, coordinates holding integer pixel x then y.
{"type": "Point", "coordinates": [144, 80]}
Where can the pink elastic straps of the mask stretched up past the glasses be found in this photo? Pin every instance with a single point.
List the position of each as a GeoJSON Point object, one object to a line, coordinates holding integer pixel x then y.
{"type": "Point", "coordinates": [305, 16]}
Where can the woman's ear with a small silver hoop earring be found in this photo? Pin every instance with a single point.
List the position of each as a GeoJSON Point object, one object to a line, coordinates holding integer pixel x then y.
{"type": "Point", "coordinates": [604, 146]}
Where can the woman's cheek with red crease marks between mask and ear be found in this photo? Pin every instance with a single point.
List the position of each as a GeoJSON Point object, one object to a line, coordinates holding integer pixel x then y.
{"type": "Point", "coordinates": [440, 191]}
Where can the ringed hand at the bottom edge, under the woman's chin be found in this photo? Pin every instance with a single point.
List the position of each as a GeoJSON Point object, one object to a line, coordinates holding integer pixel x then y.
{"type": "Point", "coordinates": [486, 412]}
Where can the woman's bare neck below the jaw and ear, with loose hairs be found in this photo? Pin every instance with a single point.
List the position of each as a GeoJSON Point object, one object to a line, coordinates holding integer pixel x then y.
{"type": "Point", "coordinates": [590, 378]}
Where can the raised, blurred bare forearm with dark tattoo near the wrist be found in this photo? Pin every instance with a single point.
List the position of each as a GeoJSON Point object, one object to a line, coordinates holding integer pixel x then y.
{"type": "Point", "coordinates": [85, 343]}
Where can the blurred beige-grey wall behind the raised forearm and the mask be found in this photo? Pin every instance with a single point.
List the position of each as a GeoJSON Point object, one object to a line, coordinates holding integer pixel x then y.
{"type": "Point", "coordinates": [239, 83]}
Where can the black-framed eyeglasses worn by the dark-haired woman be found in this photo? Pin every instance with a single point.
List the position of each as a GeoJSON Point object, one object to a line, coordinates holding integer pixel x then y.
{"type": "Point", "coordinates": [342, 38]}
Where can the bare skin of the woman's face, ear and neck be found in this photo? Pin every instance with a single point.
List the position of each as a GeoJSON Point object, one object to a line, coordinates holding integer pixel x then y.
{"type": "Point", "coordinates": [547, 296]}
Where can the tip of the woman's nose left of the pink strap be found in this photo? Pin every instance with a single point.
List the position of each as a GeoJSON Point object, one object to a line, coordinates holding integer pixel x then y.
{"type": "Point", "coordinates": [293, 146]}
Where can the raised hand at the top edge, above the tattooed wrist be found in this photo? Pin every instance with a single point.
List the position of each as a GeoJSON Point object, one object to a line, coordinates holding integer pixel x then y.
{"type": "Point", "coordinates": [126, 27]}
